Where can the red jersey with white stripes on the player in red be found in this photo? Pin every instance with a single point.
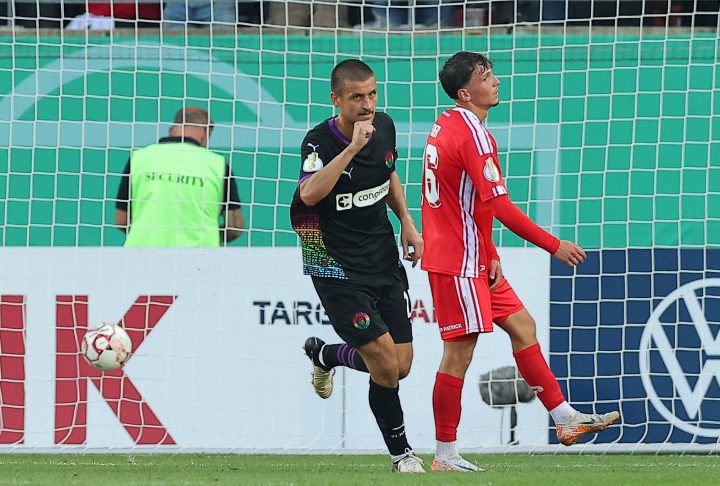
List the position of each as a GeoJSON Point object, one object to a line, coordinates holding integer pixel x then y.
{"type": "Point", "coordinates": [461, 173]}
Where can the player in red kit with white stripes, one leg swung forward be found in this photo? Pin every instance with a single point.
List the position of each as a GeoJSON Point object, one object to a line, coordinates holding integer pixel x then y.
{"type": "Point", "coordinates": [463, 191]}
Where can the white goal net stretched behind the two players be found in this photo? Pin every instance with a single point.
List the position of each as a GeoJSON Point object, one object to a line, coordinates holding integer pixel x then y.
{"type": "Point", "coordinates": [609, 135]}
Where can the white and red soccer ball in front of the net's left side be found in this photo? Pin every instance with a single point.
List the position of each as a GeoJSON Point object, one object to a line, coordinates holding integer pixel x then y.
{"type": "Point", "coordinates": [106, 347]}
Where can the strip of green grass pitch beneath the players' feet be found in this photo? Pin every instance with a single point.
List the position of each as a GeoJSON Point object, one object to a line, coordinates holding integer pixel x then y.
{"type": "Point", "coordinates": [186, 469]}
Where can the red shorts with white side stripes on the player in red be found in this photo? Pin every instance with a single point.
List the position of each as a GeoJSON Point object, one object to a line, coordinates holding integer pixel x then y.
{"type": "Point", "coordinates": [465, 306]}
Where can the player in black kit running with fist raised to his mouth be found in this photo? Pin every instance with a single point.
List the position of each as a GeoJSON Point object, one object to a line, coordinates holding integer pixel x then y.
{"type": "Point", "coordinates": [349, 249]}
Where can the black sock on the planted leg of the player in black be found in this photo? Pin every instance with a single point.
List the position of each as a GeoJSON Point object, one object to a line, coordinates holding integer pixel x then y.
{"type": "Point", "coordinates": [385, 405]}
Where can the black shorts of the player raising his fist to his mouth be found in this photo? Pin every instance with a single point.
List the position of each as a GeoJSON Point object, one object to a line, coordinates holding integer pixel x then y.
{"type": "Point", "coordinates": [362, 311]}
